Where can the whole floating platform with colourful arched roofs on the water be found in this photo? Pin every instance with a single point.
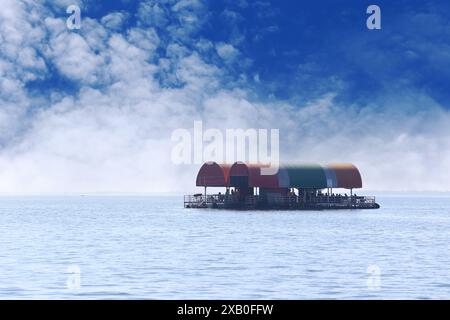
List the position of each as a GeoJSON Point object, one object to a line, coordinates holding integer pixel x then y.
{"type": "Point", "coordinates": [294, 186]}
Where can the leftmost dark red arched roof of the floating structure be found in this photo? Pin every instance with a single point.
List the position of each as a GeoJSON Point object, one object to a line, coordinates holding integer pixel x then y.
{"type": "Point", "coordinates": [212, 174]}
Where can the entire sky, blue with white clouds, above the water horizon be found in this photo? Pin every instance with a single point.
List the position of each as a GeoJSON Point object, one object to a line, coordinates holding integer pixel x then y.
{"type": "Point", "coordinates": [92, 110]}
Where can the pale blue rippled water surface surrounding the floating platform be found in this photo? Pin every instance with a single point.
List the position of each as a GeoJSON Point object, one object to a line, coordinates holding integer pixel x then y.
{"type": "Point", "coordinates": [150, 247]}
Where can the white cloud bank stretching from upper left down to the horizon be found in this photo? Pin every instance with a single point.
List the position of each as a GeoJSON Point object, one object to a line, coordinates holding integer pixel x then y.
{"type": "Point", "coordinates": [93, 110]}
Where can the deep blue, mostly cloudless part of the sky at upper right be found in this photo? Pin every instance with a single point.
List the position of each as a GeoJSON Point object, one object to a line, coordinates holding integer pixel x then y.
{"type": "Point", "coordinates": [300, 50]}
